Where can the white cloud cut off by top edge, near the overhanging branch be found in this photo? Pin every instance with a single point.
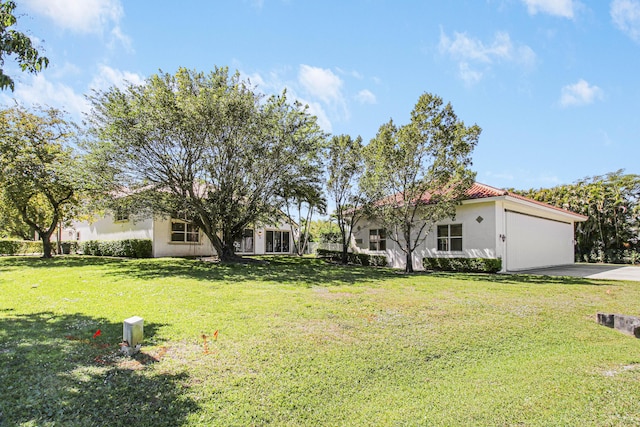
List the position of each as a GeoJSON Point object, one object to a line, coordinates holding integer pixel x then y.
{"type": "Point", "coordinates": [83, 16]}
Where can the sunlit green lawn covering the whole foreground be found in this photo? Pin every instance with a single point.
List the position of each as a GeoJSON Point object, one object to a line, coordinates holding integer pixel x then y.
{"type": "Point", "coordinates": [301, 342]}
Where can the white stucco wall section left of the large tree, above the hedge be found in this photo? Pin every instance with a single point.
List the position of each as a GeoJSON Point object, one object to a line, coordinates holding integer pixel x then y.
{"type": "Point", "coordinates": [105, 228]}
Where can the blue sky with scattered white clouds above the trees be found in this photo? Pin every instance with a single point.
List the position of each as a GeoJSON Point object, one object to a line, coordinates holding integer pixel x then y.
{"type": "Point", "coordinates": [554, 84]}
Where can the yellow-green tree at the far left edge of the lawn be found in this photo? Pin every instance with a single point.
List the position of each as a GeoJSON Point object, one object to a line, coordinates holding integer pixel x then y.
{"type": "Point", "coordinates": [37, 168]}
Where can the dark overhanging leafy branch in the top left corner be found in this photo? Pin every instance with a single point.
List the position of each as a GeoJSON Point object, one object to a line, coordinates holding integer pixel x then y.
{"type": "Point", "coordinates": [13, 42]}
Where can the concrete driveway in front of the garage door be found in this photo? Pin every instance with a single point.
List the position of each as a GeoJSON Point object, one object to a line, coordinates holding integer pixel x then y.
{"type": "Point", "coordinates": [590, 271]}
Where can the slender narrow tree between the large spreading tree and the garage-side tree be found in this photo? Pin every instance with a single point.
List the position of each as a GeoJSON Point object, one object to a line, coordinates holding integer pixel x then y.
{"type": "Point", "coordinates": [344, 168]}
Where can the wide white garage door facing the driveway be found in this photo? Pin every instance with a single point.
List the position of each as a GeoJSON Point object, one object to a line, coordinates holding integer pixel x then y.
{"type": "Point", "coordinates": [537, 242]}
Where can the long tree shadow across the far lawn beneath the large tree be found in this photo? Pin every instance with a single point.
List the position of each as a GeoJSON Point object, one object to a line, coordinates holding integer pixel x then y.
{"type": "Point", "coordinates": [305, 272]}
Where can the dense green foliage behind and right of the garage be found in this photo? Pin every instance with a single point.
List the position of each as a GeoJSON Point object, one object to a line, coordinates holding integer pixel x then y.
{"type": "Point", "coordinates": [611, 203]}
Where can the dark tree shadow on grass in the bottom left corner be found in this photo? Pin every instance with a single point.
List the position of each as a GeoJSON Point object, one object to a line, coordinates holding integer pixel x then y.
{"type": "Point", "coordinates": [54, 371]}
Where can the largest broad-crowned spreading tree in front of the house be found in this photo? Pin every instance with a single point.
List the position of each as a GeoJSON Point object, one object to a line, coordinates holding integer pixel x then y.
{"type": "Point", "coordinates": [205, 145]}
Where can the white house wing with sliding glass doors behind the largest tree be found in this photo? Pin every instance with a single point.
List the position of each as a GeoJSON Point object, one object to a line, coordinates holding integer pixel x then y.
{"type": "Point", "coordinates": [177, 237]}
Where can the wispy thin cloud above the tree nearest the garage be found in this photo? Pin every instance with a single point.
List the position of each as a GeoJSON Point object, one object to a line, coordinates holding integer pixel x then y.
{"type": "Point", "coordinates": [474, 56]}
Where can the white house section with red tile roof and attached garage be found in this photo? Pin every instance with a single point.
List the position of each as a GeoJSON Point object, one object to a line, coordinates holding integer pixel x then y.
{"type": "Point", "coordinates": [489, 223]}
